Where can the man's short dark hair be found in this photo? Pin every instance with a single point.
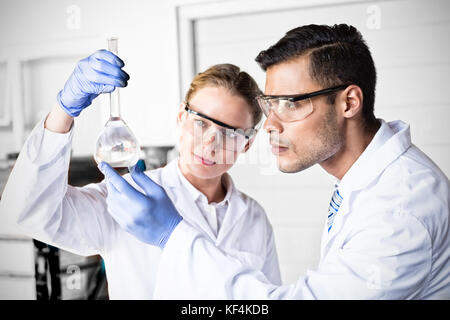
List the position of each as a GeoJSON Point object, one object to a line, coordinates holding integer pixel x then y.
{"type": "Point", "coordinates": [337, 55]}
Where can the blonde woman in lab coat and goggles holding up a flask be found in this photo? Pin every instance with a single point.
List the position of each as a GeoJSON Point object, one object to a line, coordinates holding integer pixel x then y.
{"type": "Point", "coordinates": [217, 122]}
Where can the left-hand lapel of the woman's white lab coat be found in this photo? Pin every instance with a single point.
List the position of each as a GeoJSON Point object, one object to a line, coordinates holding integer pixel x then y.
{"type": "Point", "coordinates": [183, 200]}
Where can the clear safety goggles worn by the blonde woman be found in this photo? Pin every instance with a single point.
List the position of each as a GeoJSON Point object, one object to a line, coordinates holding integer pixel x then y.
{"type": "Point", "coordinates": [203, 127]}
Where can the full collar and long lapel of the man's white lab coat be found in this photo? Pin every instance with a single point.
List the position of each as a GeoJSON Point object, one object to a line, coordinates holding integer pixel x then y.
{"type": "Point", "coordinates": [395, 140]}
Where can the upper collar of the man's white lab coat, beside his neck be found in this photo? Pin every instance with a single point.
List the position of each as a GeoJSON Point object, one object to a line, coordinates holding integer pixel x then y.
{"type": "Point", "coordinates": [390, 141]}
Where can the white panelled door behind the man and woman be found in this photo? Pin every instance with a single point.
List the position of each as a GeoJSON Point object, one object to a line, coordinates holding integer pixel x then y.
{"type": "Point", "coordinates": [410, 45]}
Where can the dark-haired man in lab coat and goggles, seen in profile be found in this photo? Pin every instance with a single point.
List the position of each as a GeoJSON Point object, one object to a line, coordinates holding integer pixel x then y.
{"type": "Point", "coordinates": [387, 234]}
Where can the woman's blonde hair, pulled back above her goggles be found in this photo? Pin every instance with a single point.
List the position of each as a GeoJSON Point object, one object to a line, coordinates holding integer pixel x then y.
{"type": "Point", "coordinates": [230, 77]}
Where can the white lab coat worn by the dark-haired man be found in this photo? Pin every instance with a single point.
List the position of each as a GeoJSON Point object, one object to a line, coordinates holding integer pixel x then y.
{"type": "Point", "coordinates": [389, 240]}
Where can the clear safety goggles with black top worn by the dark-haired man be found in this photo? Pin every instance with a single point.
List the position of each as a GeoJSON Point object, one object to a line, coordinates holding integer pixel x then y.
{"type": "Point", "coordinates": [291, 108]}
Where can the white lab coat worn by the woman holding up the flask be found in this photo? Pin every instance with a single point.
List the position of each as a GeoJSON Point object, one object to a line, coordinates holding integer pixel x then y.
{"type": "Point", "coordinates": [76, 219]}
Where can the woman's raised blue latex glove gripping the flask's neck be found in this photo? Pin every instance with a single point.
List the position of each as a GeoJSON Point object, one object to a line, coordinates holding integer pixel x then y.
{"type": "Point", "coordinates": [99, 73]}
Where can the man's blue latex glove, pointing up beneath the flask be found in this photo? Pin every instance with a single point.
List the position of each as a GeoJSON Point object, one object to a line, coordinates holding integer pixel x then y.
{"type": "Point", "coordinates": [150, 217]}
